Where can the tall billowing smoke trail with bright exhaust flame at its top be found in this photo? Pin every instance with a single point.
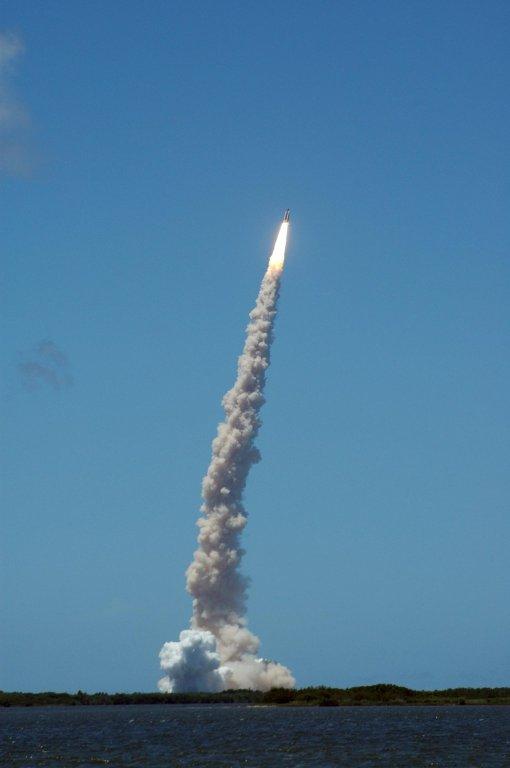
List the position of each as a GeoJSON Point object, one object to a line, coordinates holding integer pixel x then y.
{"type": "Point", "coordinates": [219, 652]}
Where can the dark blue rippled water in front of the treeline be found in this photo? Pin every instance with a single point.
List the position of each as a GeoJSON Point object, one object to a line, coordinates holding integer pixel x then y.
{"type": "Point", "coordinates": [259, 737]}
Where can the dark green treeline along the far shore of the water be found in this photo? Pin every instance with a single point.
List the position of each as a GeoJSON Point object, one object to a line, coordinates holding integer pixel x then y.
{"type": "Point", "coordinates": [321, 696]}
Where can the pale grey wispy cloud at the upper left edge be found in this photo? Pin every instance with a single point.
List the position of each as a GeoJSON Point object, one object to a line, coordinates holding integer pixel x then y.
{"type": "Point", "coordinates": [15, 156]}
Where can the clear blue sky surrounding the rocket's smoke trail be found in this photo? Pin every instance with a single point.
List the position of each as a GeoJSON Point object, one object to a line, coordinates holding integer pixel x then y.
{"type": "Point", "coordinates": [159, 146]}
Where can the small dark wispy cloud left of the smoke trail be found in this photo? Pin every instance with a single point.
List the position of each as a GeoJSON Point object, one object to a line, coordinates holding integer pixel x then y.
{"type": "Point", "coordinates": [45, 366]}
